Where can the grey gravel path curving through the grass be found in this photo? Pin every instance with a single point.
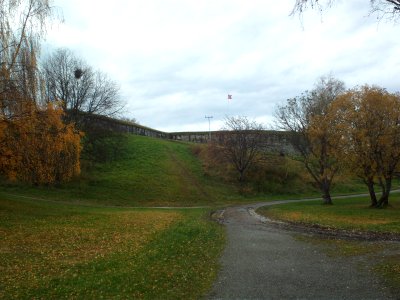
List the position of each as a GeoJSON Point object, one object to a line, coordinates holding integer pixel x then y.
{"type": "Point", "coordinates": [264, 262]}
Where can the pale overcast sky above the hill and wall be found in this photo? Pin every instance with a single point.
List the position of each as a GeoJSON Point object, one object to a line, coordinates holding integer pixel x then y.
{"type": "Point", "coordinates": [177, 60]}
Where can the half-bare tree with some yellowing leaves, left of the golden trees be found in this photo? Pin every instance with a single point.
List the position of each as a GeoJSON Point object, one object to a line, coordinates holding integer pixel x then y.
{"type": "Point", "coordinates": [313, 132]}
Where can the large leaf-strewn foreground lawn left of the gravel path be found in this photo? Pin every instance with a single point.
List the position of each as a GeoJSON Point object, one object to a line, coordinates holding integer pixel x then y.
{"type": "Point", "coordinates": [51, 250]}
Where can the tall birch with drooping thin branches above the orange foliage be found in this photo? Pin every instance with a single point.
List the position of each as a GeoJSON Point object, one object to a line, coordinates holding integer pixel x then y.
{"type": "Point", "coordinates": [22, 25]}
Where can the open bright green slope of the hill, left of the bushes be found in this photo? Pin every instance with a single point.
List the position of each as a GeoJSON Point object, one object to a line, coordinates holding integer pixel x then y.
{"type": "Point", "coordinates": [152, 172]}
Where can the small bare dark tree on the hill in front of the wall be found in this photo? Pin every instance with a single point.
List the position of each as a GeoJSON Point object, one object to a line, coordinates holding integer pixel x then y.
{"type": "Point", "coordinates": [240, 141]}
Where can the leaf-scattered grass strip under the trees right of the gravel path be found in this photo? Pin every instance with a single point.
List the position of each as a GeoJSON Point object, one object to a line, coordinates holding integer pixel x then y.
{"type": "Point", "coordinates": [351, 213]}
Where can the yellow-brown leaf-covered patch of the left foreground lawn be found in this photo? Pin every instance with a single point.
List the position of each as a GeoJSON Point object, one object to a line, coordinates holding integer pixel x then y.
{"type": "Point", "coordinates": [35, 247]}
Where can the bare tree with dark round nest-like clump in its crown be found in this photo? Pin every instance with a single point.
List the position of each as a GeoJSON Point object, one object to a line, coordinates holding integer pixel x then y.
{"type": "Point", "coordinates": [81, 89]}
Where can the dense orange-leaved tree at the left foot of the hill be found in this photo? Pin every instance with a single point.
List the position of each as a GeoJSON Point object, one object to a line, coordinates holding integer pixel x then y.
{"type": "Point", "coordinates": [38, 147]}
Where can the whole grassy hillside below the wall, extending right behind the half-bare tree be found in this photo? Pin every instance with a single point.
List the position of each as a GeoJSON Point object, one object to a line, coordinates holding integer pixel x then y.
{"type": "Point", "coordinates": [156, 172]}
